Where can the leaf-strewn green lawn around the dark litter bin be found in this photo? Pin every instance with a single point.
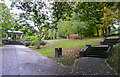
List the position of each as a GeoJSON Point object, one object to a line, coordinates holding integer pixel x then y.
{"type": "Point", "coordinates": [70, 49]}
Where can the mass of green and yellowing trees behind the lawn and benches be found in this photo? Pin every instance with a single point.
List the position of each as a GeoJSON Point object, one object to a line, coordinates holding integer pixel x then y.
{"type": "Point", "coordinates": [95, 17]}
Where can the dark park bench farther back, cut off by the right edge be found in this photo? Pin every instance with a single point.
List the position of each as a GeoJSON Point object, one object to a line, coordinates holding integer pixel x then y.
{"type": "Point", "coordinates": [112, 41]}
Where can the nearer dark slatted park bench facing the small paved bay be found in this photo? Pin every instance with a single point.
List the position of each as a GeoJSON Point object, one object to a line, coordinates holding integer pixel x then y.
{"type": "Point", "coordinates": [96, 51]}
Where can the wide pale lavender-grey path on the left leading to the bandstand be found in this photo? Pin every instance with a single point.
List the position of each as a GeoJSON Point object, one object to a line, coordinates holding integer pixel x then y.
{"type": "Point", "coordinates": [20, 60]}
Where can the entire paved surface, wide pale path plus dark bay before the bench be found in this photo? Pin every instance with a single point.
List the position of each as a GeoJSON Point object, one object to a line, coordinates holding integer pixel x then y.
{"type": "Point", "coordinates": [20, 60]}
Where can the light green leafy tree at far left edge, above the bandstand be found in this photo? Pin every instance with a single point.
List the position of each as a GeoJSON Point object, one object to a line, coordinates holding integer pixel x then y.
{"type": "Point", "coordinates": [6, 19]}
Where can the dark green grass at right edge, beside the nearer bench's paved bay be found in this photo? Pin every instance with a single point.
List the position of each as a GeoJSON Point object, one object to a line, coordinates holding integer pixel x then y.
{"type": "Point", "coordinates": [114, 60]}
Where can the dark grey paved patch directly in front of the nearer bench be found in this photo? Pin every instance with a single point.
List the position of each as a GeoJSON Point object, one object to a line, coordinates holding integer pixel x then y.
{"type": "Point", "coordinates": [92, 66]}
